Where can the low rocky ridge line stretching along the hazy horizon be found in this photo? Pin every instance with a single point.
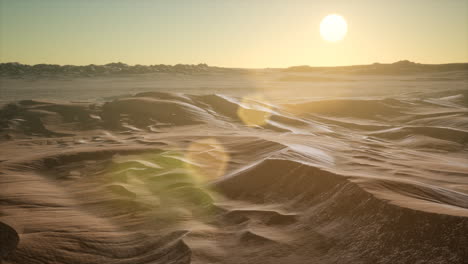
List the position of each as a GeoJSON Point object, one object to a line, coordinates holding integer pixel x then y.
{"type": "Point", "coordinates": [18, 70]}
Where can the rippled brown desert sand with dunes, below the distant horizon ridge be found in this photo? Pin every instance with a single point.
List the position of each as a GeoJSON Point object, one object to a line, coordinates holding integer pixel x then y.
{"type": "Point", "coordinates": [257, 167]}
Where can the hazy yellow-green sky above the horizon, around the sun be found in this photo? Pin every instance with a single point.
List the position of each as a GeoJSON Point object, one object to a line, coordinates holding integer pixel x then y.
{"type": "Point", "coordinates": [242, 33]}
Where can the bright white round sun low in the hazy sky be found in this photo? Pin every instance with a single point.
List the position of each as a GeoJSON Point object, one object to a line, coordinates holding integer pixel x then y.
{"type": "Point", "coordinates": [333, 28]}
